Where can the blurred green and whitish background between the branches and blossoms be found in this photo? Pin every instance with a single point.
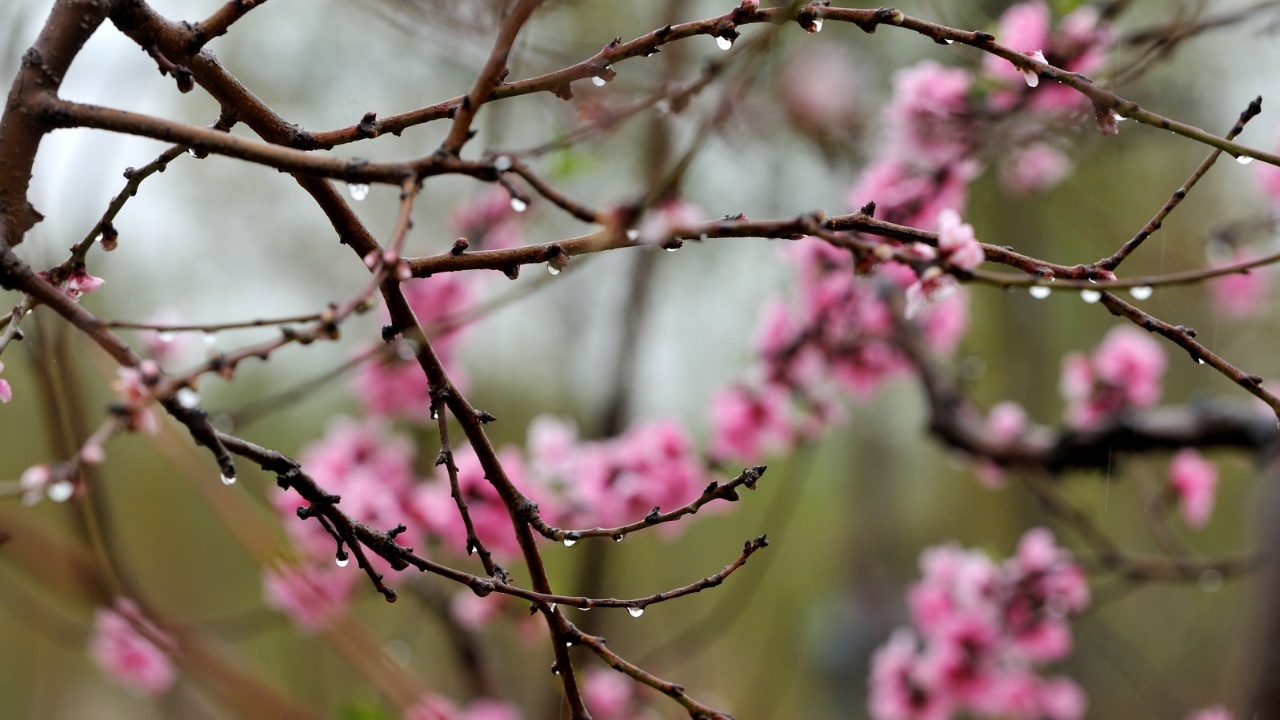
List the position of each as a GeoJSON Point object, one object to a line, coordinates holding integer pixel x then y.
{"type": "Point", "coordinates": [848, 517]}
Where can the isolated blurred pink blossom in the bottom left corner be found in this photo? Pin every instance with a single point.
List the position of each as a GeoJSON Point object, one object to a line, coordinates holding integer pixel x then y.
{"type": "Point", "coordinates": [131, 649]}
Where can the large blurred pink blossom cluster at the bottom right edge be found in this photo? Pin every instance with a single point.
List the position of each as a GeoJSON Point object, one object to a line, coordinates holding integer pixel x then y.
{"type": "Point", "coordinates": [981, 631]}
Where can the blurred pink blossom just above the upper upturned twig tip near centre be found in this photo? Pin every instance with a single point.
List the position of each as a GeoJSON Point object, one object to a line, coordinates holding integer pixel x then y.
{"type": "Point", "coordinates": [748, 423]}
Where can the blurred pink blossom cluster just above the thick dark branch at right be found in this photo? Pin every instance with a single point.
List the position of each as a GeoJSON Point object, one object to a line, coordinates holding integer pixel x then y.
{"type": "Point", "coordinates": [1124, 373]}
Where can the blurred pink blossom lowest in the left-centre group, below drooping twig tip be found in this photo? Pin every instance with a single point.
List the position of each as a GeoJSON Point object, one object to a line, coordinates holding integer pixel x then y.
{"type": "Point", "coordinates": [313, 598]}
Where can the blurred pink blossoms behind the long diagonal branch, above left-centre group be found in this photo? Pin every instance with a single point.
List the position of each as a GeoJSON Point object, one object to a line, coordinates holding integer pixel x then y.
{"type": "Point", "coordinates": [397, 388]}
